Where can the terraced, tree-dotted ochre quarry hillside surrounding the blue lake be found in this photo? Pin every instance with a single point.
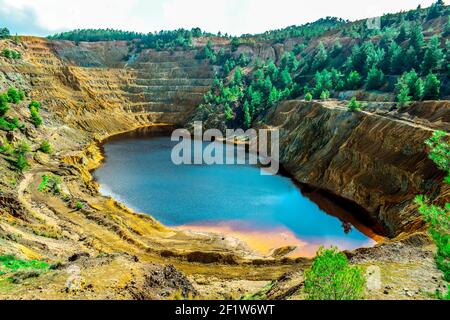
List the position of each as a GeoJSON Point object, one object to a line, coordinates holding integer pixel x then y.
{"type": "Point", "coordinates": [299, 80]}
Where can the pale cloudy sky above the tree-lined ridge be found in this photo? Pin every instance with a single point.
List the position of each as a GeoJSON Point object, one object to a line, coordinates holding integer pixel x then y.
{"type": "Point", "coordinates": [43, 17]}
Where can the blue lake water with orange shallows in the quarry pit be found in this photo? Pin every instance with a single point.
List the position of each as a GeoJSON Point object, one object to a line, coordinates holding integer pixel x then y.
{"type": "Point", "coordinates": [266, 212]}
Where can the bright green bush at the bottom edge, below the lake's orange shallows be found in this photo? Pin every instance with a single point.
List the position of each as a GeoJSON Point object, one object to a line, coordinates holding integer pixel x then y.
{"type": "Point", "coordinates": [332, 278]}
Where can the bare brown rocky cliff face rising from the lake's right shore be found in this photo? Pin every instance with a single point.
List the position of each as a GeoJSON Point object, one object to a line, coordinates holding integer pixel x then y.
{"type": "Point", "coordinates": [375, 158]}
